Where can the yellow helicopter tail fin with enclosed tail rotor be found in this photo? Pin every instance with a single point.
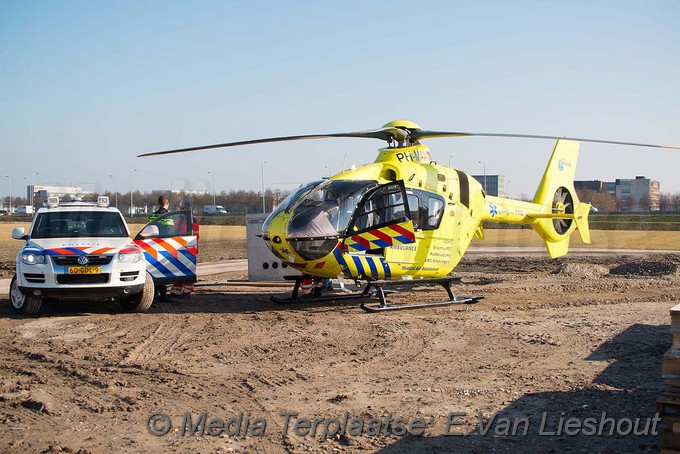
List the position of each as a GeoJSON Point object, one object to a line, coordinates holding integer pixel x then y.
{"type": "Point", "coordinates": [561, 211]}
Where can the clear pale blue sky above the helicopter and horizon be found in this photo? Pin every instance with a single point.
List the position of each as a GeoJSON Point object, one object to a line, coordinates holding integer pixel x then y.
{"type": "Point", "coordinates": [86, 86]}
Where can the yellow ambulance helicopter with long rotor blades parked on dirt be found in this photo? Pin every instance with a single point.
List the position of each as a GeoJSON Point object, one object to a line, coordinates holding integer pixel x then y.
{"type": "Point", "coordinates": [407, 220]}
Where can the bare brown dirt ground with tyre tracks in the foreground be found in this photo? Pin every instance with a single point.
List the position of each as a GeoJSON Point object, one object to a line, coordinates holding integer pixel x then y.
{"type": "Point", "coordinates": [541, 350]}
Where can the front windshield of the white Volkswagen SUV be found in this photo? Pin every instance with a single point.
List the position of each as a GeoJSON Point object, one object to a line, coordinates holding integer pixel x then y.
{"type": "Point", "coordinates": [69, 224]}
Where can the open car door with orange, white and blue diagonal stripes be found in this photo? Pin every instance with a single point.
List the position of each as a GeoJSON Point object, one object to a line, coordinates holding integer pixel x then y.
{"type": "Point", "coordinates": [170, 246]}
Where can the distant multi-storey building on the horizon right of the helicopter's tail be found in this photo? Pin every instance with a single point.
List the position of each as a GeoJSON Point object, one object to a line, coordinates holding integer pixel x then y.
{"type": "Point", "coordinates": [638, 194]}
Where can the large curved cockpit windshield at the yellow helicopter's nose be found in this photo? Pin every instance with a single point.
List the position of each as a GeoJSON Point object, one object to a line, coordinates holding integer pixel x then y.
{"type": "Point", "coordinates": [327, 210]}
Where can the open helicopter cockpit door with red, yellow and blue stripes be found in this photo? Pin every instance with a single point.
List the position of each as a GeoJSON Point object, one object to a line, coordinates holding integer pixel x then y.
{"type": "Point", "coordinates": [382, 219]}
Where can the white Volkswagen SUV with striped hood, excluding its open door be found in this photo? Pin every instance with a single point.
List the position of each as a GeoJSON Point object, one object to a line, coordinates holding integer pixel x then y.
{"type": "Point", "coordinates": [79, 251]}
